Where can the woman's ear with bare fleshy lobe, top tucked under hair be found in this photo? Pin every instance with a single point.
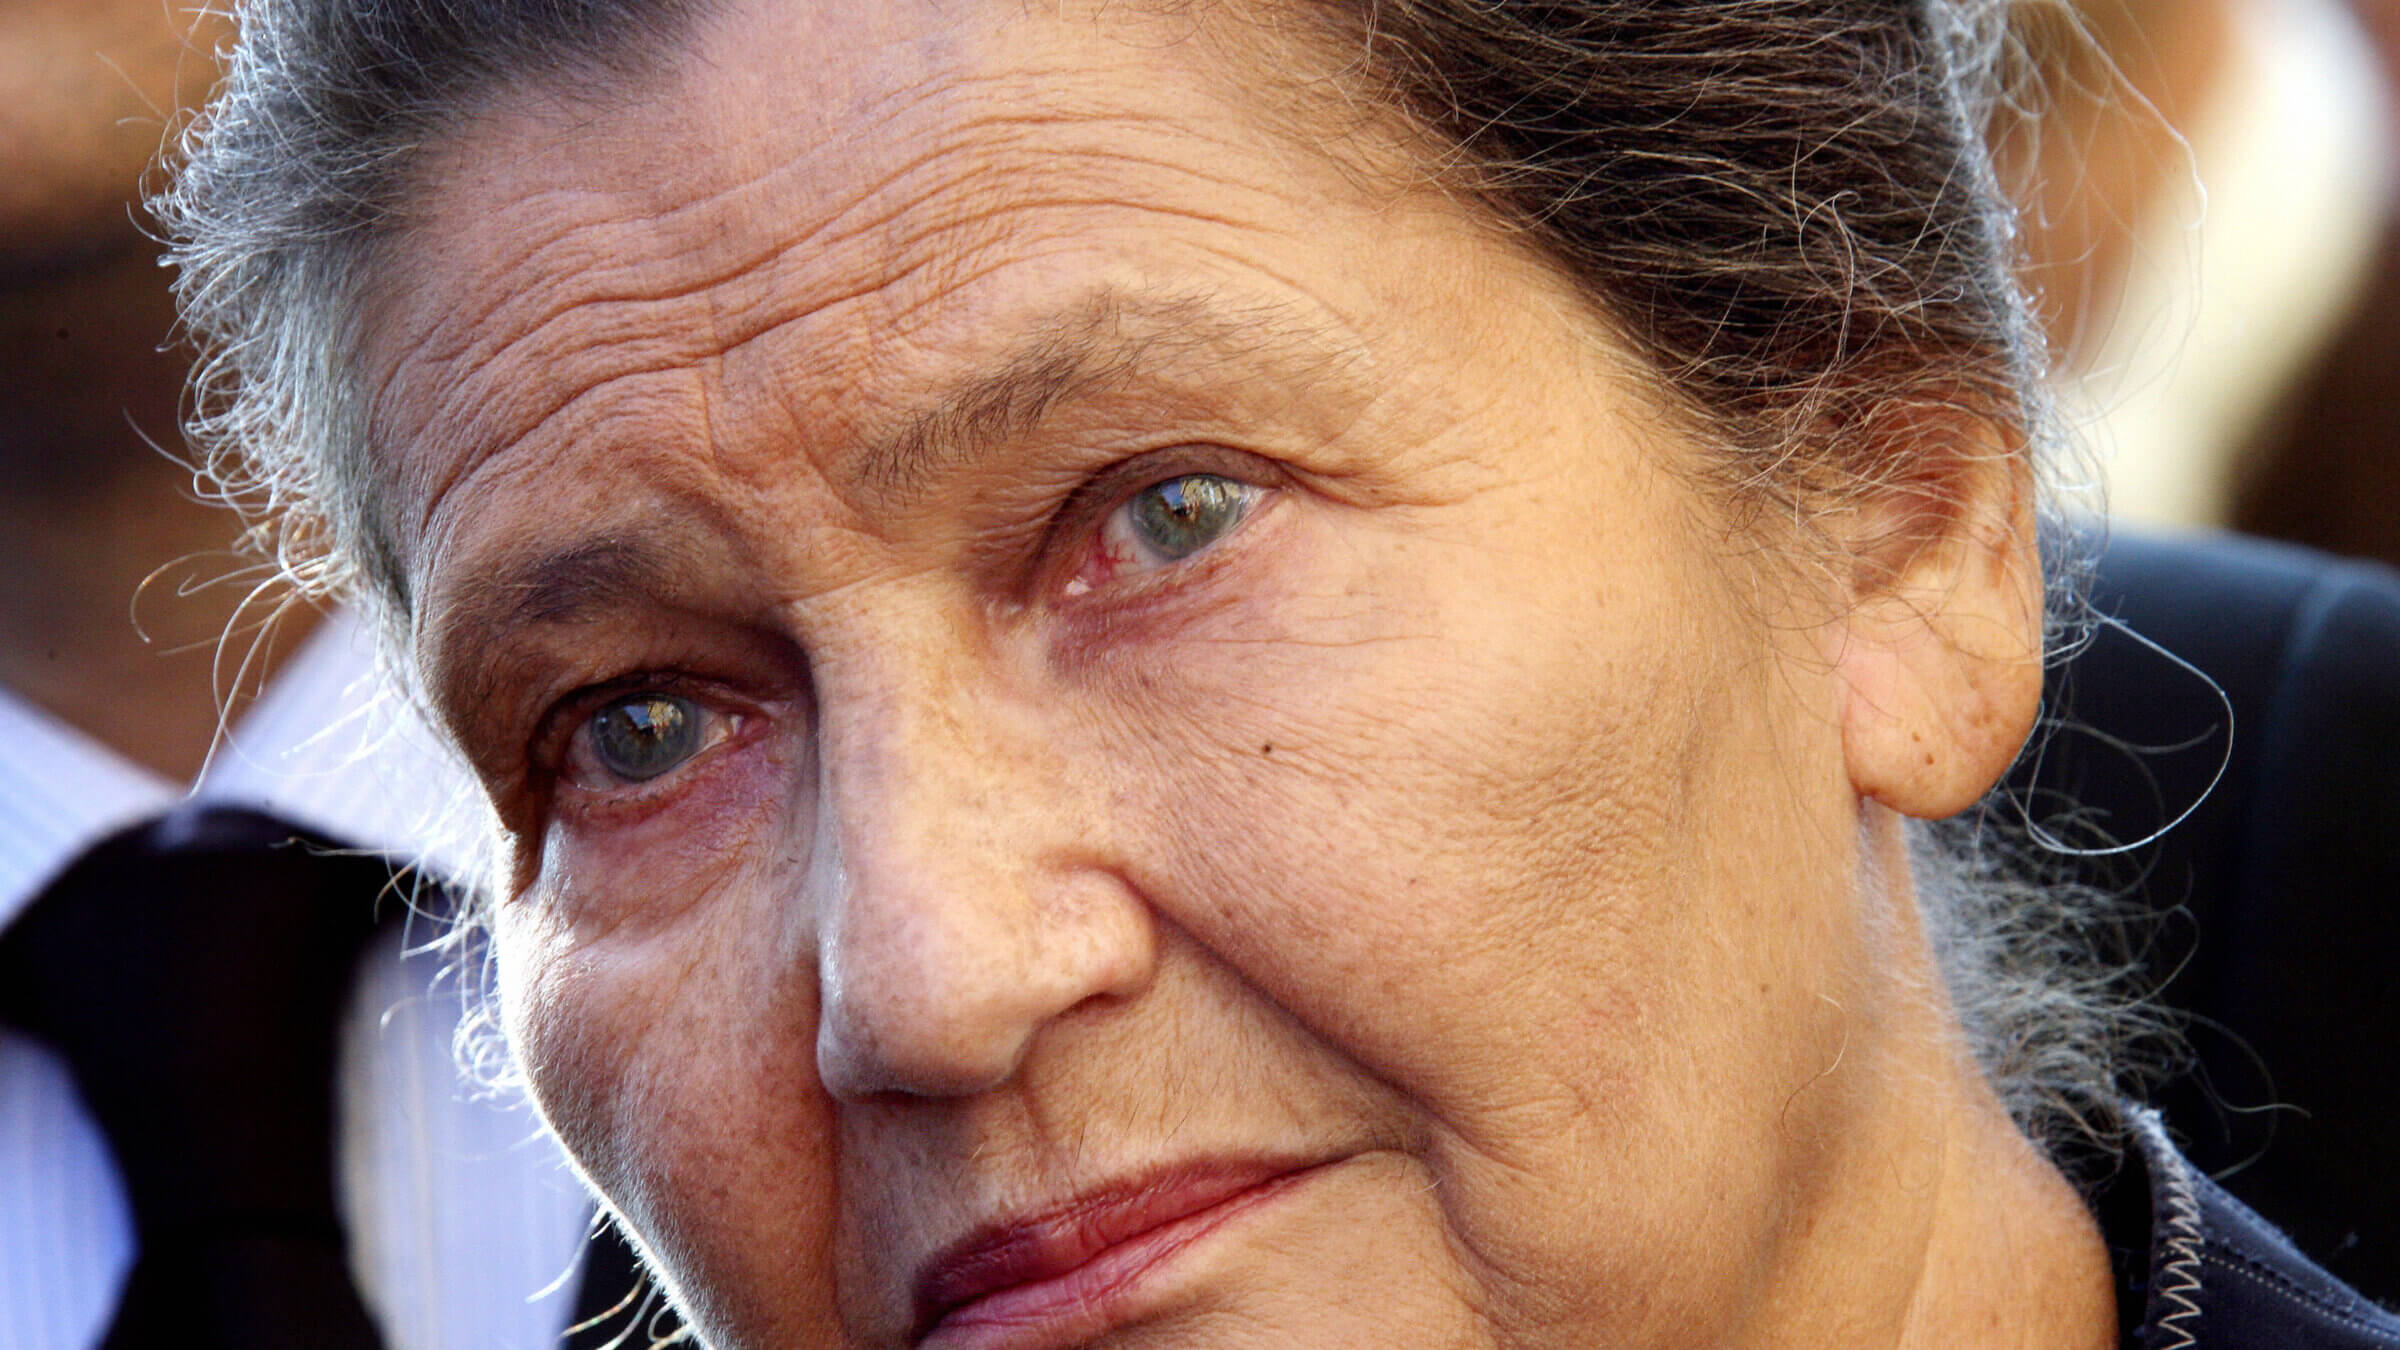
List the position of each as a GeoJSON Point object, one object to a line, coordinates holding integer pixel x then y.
{"type": "Point", "coordinates": [1940, 650]}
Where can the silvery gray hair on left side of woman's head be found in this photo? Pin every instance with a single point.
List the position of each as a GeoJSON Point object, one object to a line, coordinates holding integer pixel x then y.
{"type": "Point", "coordinates": [289, 191]}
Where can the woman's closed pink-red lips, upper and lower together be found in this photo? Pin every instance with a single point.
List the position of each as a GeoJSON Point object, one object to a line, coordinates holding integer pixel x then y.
{"type": "Point", "coordinates": [1012, 1279]}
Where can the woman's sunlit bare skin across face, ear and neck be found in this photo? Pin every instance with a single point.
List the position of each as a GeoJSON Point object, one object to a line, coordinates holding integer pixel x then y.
{"type": "Point", "coordinates": [1472, 837]}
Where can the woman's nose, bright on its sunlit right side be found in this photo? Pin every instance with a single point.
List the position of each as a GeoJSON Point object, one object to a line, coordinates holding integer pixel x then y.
{"type": "Point", "coordinates": [964, 902]}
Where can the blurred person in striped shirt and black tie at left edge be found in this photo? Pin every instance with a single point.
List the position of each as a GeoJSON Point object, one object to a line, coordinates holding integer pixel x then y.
{"type": "Point", "coordinates": [119, 585]}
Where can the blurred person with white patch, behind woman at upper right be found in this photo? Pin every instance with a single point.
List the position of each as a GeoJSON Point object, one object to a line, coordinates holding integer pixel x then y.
{"type": "Point", "coordinates": [2216, 249]}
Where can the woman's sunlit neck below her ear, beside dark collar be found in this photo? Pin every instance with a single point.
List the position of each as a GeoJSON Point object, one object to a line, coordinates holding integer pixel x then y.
{"type": "Point", "coordinates": [1931, 1221]}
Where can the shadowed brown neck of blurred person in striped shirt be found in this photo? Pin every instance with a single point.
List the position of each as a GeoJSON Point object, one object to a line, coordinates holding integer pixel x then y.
{"type": "Point", "coordinates": [121, 583]}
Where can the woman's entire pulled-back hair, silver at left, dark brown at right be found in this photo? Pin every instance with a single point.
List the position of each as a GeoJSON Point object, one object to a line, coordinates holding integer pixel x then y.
{"type": "Point", "coordinates": [1787, 208]}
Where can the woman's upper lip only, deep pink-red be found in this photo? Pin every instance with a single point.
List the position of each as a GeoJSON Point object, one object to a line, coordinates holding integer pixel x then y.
{"type": "Point", "coordinates": [1048, 1243]}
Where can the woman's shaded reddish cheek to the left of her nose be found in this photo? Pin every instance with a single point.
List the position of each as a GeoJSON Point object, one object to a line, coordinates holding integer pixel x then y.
{"type": "Point", "coordinates": [678, 1068]}
